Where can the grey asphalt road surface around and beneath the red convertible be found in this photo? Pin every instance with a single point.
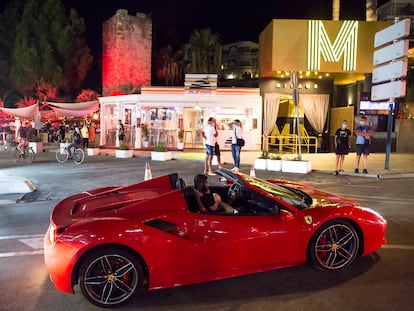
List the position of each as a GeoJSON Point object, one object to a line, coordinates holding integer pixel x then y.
{"type": "Point", "coordinates": [382, 281]}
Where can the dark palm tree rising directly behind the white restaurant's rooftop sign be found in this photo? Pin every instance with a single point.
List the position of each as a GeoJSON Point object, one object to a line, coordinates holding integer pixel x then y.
{"type": "Point", "coordinates": [202, 54]}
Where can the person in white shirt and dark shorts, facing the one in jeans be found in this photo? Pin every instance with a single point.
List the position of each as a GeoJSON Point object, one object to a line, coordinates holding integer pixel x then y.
{"type": "Point", "coordinates": [210, 134]}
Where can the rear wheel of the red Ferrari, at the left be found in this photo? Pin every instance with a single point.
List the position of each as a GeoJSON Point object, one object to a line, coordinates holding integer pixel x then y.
{"type": "Point", "coordinates": [110, 277]}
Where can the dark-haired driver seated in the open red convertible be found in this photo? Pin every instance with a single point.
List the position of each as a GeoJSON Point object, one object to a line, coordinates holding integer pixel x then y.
{"type": "Point", "coordinates": [211, 201]}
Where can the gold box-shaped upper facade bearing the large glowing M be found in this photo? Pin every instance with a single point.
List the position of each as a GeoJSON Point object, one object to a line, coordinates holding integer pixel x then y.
{"type": "Point", "coordinates": [343, 47]}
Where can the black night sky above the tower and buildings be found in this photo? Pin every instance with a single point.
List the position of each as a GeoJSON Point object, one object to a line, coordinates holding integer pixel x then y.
{"type": "Point", "coordinates": [174, 20]}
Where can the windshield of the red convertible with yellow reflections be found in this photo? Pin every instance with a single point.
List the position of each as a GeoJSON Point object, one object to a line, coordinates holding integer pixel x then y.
{"type": "Point", "coordinates": [291, 196]}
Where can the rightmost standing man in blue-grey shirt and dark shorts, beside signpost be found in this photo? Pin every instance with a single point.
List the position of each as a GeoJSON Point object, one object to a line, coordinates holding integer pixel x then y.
{"type": "Point", "coordinates": [363, 142]}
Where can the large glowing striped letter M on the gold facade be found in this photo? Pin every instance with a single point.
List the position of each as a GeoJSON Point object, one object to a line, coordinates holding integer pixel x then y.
{"type": "Point", "coordinates": [345, 44]}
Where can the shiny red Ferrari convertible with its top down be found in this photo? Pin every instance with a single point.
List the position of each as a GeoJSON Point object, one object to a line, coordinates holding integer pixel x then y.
{"type": "Point", "coordinates": [117, 241]}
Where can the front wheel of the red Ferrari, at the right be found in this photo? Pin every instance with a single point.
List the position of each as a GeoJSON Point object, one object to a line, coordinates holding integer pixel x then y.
{"type": "Point", "coordinates": [334, 246]}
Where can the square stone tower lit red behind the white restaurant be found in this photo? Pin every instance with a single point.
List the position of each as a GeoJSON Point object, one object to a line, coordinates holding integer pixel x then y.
{"type": "Point", "coordinates": [126, 51]}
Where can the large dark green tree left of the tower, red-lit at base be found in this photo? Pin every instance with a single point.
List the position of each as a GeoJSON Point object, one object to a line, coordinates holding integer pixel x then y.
{"type": "Point", "coordinates": [47, 53]}
